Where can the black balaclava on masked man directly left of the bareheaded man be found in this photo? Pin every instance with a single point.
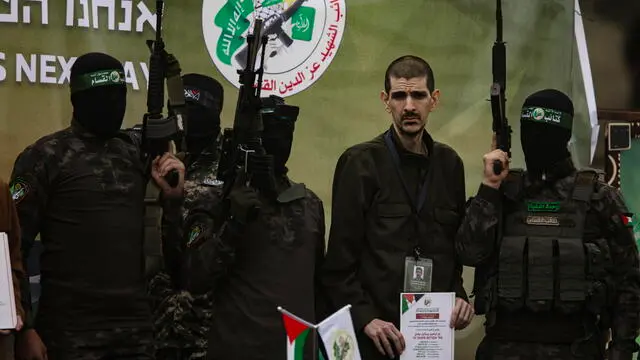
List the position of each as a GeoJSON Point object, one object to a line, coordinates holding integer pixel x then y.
{"type": "Point", "coordinates": [277, 137]}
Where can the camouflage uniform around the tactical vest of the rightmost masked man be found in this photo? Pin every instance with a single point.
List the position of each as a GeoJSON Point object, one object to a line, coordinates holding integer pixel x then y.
{"type": "Point", "coordinates": [546, 332]}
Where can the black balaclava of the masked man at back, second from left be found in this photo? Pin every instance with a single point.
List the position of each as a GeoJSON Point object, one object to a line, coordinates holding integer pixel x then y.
{"type": "Point", "coordinates": [204, 97]}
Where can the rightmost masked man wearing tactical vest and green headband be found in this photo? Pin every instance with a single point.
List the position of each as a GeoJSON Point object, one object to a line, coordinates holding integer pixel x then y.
{"type": "Point", "coordinates": [556, 262]}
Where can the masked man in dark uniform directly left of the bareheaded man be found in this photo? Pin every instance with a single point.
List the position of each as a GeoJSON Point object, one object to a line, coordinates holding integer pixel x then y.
{"type": "Point", "coordinates": [264, 254]}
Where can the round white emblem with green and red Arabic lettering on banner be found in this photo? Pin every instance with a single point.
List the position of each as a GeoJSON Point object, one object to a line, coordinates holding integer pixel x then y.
{"type": "Point", "coordinates": [303, 39]}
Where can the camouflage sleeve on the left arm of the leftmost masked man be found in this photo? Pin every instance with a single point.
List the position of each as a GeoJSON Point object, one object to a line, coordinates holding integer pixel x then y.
{"type": "Point", "coordinates": [29, 189]}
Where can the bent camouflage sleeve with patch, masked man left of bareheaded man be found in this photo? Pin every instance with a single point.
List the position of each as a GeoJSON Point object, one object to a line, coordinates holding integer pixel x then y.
{"type": "Point", "coordinates": [208, 251]}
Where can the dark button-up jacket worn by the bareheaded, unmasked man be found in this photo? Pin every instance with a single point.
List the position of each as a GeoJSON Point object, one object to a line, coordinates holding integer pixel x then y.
{"type": "Point", "coordinates": [375, 226]}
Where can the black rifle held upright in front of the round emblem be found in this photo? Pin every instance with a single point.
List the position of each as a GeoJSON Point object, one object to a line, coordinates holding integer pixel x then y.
{"type": "Point", "coordinates": [244, 140]}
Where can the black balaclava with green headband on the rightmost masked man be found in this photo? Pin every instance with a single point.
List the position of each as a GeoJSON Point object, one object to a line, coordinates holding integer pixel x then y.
{"type": "Point", "coordinates": [545, 130]}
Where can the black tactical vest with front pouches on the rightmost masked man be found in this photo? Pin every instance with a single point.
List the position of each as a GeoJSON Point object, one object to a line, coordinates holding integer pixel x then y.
{"type": "Point", "coordinates": [544, 263]}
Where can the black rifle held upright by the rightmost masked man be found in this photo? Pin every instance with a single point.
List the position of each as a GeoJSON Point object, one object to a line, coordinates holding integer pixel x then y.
{"type": "Point", "coordinates": [498, 100]}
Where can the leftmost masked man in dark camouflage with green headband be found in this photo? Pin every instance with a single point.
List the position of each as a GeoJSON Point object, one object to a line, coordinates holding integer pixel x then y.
{"type": "Point", "coordinates": [82, 190]}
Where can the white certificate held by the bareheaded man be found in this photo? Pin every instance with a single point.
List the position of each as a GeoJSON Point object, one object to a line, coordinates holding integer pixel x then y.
{"type": "Point", "coordinates": [424, 323]}
